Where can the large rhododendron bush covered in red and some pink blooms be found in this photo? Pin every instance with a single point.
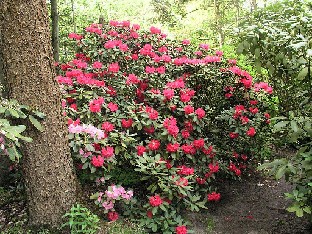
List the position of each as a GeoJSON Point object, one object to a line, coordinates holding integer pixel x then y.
{"type": "Point", "coordinates": [174, 118]}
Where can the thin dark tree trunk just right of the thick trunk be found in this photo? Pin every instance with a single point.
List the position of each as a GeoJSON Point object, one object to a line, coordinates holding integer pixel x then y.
{"type": "Point", "coordinates": [55, 31]}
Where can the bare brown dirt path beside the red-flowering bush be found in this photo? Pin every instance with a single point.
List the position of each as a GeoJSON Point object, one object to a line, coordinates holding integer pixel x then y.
{"type": "Point", "coordinates": [255, 206]}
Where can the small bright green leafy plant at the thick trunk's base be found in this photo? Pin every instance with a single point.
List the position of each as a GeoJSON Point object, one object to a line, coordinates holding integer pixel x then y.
{"type": "Point", "coordinates": [81, 220]}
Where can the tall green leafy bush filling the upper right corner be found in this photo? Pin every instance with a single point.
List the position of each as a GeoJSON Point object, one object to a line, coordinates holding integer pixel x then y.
{"type": "Point", "coordinates": [278, 38]}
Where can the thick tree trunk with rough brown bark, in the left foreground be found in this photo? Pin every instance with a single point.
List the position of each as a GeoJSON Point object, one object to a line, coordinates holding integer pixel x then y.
{"type": "Point", "coordinates": [29, 73]}
